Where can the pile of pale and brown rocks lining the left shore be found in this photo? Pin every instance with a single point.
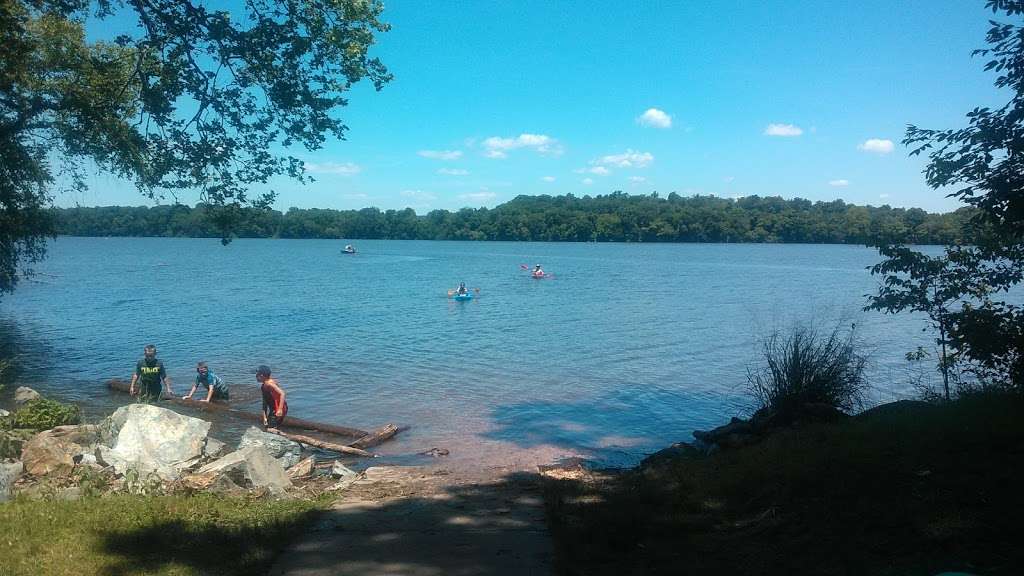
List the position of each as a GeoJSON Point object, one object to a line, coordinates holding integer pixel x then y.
{"type": "Point", "coordinates": [147, 449]}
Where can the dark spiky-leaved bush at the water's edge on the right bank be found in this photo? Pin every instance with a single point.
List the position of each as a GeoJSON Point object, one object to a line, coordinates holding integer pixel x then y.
{"type": "Point", "coordinates": [806, 367]}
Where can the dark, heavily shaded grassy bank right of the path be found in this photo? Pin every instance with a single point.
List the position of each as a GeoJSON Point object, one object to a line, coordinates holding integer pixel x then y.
{"type": "Point", "coordinates": [906, 489]}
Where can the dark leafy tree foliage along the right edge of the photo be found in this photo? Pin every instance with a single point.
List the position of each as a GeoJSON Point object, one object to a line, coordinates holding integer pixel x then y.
{"type": "Point", "coordinates": [984, 163]}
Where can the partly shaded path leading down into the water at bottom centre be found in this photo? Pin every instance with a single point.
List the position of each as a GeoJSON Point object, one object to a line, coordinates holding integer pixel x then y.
{"type": "Point", "coordinates": [428, 522]}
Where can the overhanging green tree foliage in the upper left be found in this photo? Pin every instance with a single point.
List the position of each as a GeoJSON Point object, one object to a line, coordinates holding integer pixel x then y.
{"type": "Point", "coordinates": [198, 100]}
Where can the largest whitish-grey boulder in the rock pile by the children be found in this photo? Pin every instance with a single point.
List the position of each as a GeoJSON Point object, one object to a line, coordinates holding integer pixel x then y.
{"type": "Point", "coordinates": [154, 441]}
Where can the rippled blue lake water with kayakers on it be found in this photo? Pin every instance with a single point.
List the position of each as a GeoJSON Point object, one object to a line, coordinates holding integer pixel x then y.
{"type": "Point", "coordinates": [628, 349]}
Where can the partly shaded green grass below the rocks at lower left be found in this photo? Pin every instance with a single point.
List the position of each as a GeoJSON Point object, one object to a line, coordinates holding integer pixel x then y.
{"type": "Point", "coordinates": [159, 536]}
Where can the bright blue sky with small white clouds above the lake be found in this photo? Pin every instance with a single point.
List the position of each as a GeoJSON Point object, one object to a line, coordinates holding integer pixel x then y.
{"type": "Point", "coordinates": [794, 99]}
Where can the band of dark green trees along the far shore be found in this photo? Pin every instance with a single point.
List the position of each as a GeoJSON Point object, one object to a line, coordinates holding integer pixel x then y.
{"type": "Point", "coordinates": [614, 218]}
